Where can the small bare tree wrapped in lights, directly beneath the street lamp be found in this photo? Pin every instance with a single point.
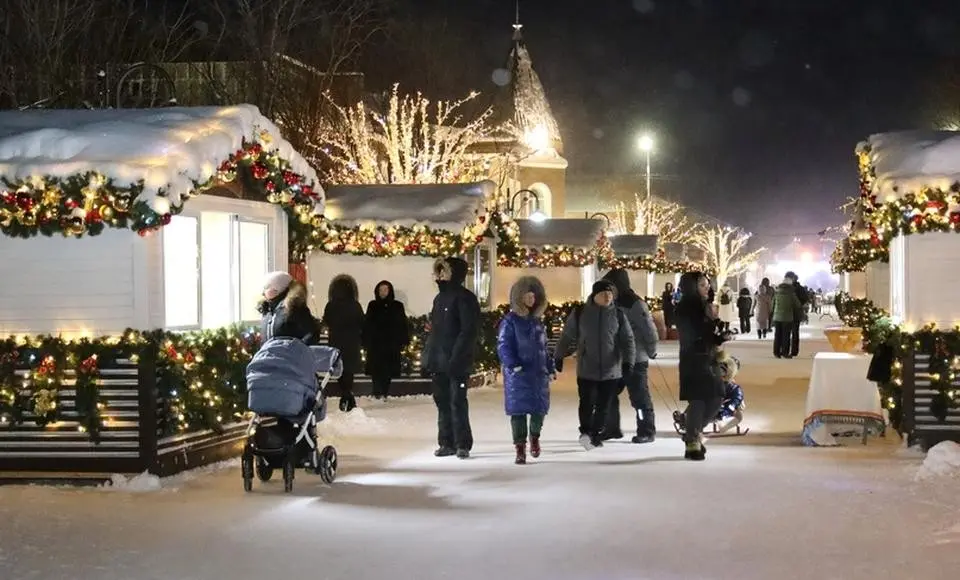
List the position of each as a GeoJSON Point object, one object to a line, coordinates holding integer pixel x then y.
{"type": "Point", "coordinates": [656, 217]}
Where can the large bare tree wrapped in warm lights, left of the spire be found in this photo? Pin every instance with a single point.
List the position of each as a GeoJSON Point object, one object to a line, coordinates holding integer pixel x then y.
{"type": "Point", "coordinates": [413, 140]}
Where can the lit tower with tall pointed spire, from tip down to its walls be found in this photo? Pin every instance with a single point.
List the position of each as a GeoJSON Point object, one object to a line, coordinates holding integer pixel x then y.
{"type": "Point", "coordinates": [535, 141]}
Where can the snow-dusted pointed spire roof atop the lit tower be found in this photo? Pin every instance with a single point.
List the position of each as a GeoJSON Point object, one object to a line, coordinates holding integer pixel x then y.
{"type": "Point", "coordinates": [522, 101]}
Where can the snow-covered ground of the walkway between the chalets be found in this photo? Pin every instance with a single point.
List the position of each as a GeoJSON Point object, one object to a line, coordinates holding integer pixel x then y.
{"type": "Point", "coordinates": [760, 507]}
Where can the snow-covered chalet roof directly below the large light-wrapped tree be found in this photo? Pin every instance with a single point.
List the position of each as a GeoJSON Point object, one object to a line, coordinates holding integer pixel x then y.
{"type": "Point", "coordinates": [444, 206]}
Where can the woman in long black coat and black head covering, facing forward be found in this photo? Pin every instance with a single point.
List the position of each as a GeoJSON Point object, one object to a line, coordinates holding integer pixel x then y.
{"type": "Point", "coordinates": [385, 334]}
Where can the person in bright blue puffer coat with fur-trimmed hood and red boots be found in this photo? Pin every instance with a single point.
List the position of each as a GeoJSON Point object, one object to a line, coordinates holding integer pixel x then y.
{"type": "Point", "coordinates": [527, 368]}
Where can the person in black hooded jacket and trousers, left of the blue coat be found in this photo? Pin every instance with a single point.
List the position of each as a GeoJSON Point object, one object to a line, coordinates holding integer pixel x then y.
{"type": "Point", "coordinates": [449, 354]}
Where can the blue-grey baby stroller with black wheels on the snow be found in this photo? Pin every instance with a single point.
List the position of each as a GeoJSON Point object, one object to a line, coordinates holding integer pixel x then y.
{"type": "Point", "coordinates": [286, 382]}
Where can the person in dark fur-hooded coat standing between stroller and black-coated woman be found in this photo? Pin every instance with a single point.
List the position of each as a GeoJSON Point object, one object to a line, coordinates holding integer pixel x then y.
{"type": "Point", "coordinates": [343, 317]}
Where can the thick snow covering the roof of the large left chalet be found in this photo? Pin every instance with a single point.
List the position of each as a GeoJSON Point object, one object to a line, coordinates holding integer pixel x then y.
{"type": "Point", "coordinates": [169, 149]}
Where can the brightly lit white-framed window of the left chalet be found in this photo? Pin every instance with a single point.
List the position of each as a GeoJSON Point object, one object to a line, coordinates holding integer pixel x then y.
{"type": "Point", "coordinates": [214, 266]}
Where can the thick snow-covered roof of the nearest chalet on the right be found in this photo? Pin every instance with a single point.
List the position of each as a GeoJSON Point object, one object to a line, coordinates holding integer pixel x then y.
{"type": "Point", "coordinates": [907, 161]}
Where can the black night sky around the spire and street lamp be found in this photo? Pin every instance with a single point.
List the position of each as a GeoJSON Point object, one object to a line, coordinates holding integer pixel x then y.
{"type": "Point", "coordinates": [757, 105]}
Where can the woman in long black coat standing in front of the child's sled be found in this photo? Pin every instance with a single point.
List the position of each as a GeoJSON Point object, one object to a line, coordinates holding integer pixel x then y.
{"type": "Point", "coordinates": [700, 380]}
